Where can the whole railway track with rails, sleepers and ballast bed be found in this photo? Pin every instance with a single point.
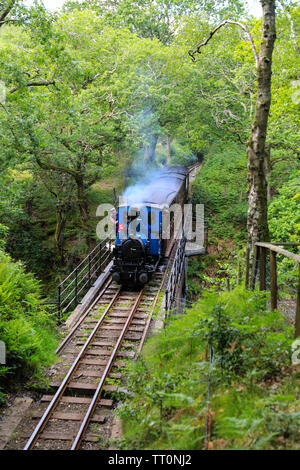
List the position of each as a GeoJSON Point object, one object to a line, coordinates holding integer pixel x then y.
{"type": "Point", "coordinates": [78, 412]}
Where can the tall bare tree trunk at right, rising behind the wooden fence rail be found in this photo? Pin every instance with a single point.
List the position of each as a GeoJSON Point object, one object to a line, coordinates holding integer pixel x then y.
{"type": "Point", "coordinates": [257, 222]}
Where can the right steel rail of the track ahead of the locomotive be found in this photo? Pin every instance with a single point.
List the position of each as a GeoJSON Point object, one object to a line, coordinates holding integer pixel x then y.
{"type": "Point", "coordinates": [95, 399]}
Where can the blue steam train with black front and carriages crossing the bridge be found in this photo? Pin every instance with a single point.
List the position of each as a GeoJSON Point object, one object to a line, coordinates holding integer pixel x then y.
{"type": "Point", "coordinates": [140, 242]}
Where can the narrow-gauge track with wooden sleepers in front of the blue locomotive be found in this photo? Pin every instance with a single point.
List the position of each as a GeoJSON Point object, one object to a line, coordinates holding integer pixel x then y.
{"type": "Point", "coordinates": [123, 324]}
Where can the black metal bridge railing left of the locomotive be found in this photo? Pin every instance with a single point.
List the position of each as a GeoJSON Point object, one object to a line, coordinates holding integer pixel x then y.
{"type": "Point", "coordinates": [73, 288]}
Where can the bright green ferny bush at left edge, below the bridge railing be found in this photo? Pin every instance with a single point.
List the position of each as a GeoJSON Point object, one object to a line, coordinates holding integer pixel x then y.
{"type": "Point", "coordinates": [25, 326]}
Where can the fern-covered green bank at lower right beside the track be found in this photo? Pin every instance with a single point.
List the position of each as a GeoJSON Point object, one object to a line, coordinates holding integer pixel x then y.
{"type": "Point", "coordinates": [254, 393]}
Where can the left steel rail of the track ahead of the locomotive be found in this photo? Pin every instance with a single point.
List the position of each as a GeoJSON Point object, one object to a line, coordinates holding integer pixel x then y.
{"type": "Point", "coordinates": [55, 400]}
